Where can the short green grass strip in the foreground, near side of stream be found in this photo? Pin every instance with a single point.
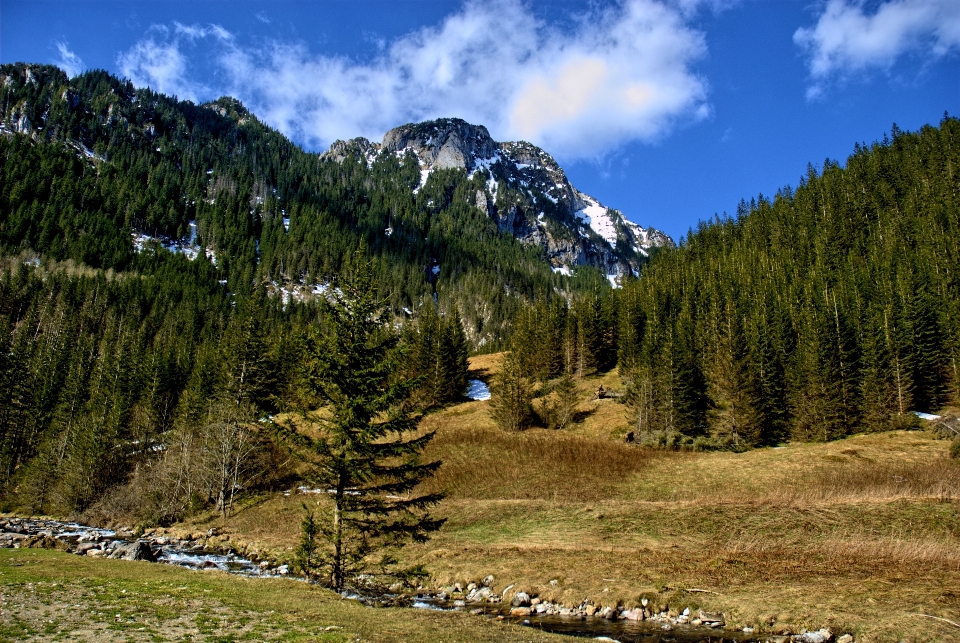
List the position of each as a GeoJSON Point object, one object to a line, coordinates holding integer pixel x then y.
{"type": "Point", "coordinates": [49, 595]}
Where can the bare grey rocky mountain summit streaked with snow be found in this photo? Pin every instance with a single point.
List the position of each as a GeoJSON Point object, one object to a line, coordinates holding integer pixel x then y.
{"type": "Point", "coordinates": [527, 194]}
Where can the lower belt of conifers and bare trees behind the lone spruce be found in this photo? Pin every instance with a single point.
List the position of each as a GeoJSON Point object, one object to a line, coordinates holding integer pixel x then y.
{"type": "Point", "coordinates": [151, 390]}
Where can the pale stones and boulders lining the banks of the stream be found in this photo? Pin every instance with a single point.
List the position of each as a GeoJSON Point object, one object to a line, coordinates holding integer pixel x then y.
{"type": "Point", "coordinates": [644, 624]}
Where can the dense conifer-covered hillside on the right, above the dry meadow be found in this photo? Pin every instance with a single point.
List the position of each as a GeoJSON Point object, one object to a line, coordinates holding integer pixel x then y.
{"type": "Point", "coordinates": [824, 311]}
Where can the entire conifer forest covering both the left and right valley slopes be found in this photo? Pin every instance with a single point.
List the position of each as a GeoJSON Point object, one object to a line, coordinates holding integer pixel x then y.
{"type": "Point", "coordinates": [132, 376]}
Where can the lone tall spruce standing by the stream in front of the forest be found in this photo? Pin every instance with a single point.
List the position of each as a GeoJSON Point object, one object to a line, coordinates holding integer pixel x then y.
{"type": "Point", "coordinates": [362, 449]}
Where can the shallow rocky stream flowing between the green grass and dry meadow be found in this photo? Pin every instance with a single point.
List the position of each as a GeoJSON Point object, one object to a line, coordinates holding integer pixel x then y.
{"type": "Point", "coordinates": [192, 554]}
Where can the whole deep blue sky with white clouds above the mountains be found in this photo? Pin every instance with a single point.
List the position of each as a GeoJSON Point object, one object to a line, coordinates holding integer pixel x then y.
{"type": "Point", "coordinates": [670, 110]}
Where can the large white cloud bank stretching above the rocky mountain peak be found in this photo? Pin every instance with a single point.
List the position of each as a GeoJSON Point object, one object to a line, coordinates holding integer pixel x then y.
{"type": "Point", "coordinates": [621, 74]}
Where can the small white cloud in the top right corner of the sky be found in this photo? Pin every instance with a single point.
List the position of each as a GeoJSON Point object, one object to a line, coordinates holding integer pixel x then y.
{"type": "Point", "coordinates": [848, 39]}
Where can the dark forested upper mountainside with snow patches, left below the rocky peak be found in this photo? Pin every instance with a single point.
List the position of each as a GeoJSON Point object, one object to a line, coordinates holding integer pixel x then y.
{"type": "Point", "coordinates": [101, 160]}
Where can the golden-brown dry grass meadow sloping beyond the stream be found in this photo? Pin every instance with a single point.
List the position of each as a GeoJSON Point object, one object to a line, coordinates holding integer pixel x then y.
{"type": "Point", "coordinates": [861, 535]}
